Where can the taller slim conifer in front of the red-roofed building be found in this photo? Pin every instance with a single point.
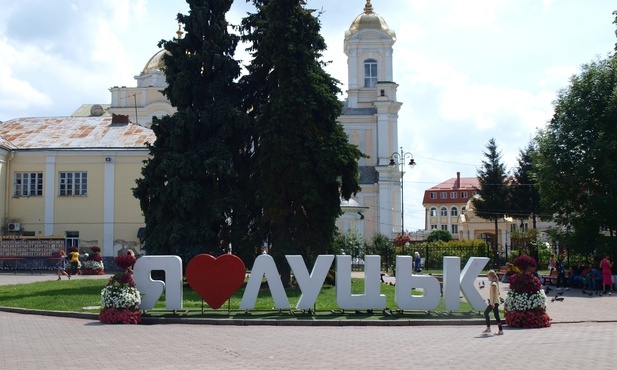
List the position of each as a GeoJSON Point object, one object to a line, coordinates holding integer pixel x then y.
{"type": "Point", "coordinates": [492, 203]}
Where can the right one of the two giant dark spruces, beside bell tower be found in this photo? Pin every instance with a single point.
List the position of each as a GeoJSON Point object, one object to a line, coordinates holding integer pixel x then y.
{"type": "Point", "coordinates": [304, 160]}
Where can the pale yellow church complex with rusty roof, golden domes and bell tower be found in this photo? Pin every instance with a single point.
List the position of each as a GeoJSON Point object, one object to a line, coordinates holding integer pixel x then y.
{"type": "Point", "coordinates": [71, 178]}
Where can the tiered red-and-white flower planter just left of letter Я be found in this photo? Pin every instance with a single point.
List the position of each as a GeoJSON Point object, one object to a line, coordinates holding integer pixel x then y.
{"type": "Point", "coordinates": [120, 298]}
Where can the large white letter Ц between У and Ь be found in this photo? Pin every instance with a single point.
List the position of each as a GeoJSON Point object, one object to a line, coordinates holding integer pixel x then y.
{"type": "Point", "coordinates": [371, 299]}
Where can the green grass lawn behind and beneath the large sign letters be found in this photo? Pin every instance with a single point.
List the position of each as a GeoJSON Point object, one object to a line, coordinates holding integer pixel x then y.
{"type": "Point", "coordinates": [77, 294]}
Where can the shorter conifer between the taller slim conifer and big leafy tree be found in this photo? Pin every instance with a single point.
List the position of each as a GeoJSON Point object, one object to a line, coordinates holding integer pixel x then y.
{"type": "Point", "coordinates": [525, 197]}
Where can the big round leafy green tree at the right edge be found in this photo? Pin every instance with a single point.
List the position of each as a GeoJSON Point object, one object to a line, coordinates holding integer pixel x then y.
{"type": "Point", "coordinates": [576, 161]}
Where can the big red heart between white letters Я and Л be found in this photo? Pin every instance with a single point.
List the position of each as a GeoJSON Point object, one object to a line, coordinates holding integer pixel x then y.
{"type": "Point", "coordinates": [215, 279]}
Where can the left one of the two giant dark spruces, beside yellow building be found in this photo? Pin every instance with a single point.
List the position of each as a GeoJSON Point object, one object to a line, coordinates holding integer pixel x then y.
{"type": "Point", "coordinates": [190, 192]}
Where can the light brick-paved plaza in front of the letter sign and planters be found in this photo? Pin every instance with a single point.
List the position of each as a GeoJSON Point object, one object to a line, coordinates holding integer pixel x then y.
{"type": "Point", "coordinates": [583, 336]}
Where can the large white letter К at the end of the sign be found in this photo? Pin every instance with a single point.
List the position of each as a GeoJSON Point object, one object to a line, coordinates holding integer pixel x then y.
{"type": "Point", "coordinates": [454, 282]}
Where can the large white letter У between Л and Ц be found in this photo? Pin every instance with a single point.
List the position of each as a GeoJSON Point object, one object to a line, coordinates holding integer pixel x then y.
{"type": "Point", "coordinates": [310, 285]}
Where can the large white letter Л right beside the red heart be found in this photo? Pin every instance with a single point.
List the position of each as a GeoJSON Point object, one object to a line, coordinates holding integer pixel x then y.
{"type": "Point", "coordinates": [264, 266]}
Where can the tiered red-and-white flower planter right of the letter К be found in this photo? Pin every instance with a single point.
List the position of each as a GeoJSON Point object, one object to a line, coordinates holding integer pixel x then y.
{"type": "Point", "coordinates": [525, 306]}
